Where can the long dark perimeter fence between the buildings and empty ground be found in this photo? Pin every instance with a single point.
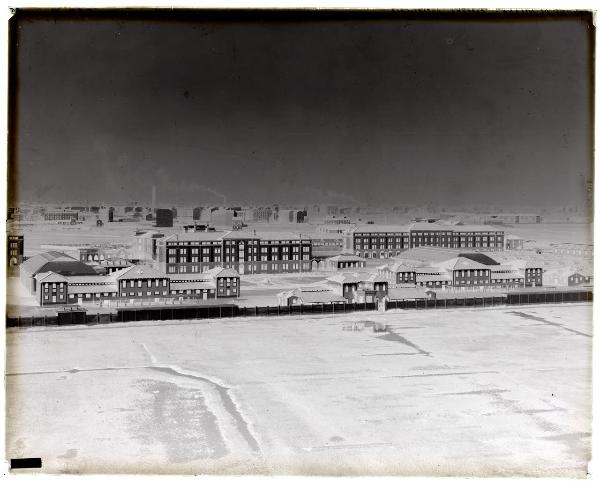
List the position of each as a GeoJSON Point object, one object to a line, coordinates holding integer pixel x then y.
{"type": "Point", "coordinates": [133, 314]}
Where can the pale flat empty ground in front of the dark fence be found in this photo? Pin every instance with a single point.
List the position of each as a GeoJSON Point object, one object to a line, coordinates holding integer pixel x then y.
{"type": "Point", "coordinates": [487, 392]}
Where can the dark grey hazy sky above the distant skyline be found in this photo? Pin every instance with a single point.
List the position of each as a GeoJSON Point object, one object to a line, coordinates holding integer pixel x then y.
{"type": "Point", "coordinates": [300, 109]}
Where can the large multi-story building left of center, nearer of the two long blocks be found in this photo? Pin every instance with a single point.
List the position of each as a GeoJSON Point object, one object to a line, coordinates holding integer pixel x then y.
{"type": "Point", "coordinates": [242, 251]}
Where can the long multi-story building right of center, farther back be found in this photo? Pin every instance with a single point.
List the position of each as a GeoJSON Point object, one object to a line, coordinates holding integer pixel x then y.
{"type": "Point", "coordinates": [386, 241]}
